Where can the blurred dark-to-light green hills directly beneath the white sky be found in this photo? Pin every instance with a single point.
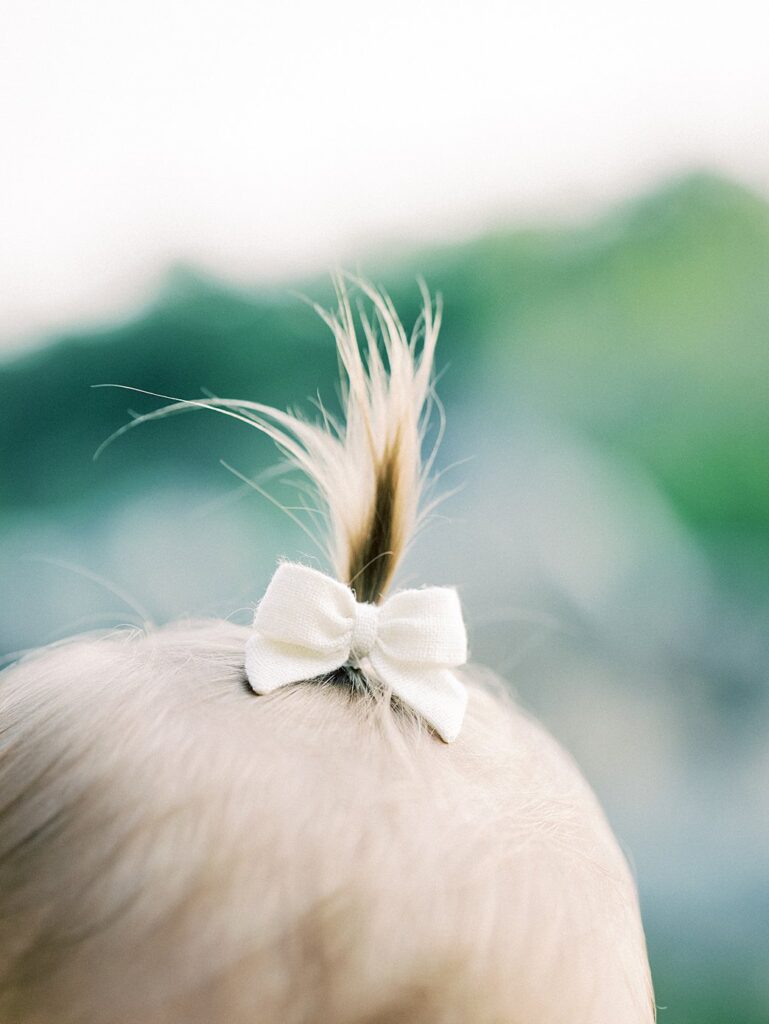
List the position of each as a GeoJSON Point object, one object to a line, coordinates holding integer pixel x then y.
{"type": "Point", "coordinates": [647, 330]}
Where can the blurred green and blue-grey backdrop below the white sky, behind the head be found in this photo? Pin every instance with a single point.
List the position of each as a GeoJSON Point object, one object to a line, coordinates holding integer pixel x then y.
{"type": "Point", "coordinates": [608, 397]}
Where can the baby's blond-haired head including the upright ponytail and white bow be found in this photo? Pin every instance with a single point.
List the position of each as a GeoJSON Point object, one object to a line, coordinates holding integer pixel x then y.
{"type": "Point", "coordinates": [326, 818]}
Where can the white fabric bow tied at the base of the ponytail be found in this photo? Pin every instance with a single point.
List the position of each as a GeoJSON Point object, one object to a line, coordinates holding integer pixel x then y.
{"type": "Point", "coordinates": [309, 625]}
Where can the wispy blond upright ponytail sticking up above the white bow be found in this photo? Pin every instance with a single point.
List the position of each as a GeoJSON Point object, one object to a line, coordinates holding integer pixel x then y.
{"type": "Point", "coordinates": [367, 467]}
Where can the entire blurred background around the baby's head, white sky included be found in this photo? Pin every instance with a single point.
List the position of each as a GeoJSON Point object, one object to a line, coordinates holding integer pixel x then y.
{"type": "Point", "coordinates": [587, 187]}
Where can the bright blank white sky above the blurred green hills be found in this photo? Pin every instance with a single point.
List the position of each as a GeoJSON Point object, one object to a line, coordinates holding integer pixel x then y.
{"type": "Point", "coordinates": [262, 140]}
